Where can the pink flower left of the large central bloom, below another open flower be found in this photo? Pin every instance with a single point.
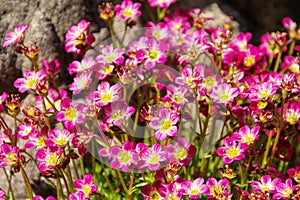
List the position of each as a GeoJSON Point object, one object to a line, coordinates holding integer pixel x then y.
{"type": "Point", "coordinates": [117, 112]}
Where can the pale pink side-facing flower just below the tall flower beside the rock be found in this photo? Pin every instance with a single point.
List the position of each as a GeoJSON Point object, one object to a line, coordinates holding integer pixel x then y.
{"type": "Point", "coordinates": [86, 64]}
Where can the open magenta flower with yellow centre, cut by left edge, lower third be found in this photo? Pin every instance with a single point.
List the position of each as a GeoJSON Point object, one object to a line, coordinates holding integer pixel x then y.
{"type": "Point", "coordinates": [8, 155]}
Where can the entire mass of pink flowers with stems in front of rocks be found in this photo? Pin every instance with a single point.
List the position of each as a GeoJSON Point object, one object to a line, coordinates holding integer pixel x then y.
{"type": "Point", "coordinates": [223, 127]}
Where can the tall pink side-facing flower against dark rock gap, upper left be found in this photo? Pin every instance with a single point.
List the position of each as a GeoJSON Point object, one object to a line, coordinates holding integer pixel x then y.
{"type": "Point", "coordinates": [77, 39]}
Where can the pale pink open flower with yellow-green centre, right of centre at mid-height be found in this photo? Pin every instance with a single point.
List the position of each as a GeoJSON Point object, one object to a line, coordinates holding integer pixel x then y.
{"type": "Point", "coordinates": [224, 94]}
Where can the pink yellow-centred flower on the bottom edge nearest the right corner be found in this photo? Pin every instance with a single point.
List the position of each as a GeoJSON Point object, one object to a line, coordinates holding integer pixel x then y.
{"type": "Point", "coordinates": [284, 190]}
